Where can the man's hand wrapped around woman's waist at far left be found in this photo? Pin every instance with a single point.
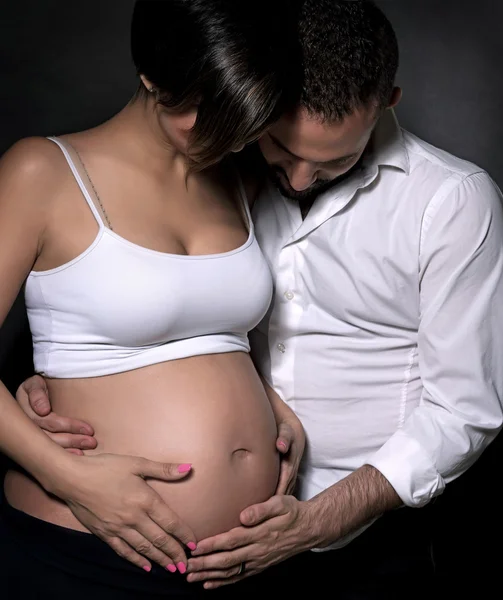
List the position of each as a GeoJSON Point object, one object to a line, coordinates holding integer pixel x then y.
{"type": "Point", "coordinates": [72, 434]}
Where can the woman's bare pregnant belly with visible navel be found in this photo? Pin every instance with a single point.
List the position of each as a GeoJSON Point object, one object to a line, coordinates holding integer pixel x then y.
{"type": "Point", "coordinates": [211, 411]}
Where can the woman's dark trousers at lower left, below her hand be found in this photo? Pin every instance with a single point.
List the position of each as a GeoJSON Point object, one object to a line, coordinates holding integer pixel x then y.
{"type": "Point", "coordinates": [39, 560]}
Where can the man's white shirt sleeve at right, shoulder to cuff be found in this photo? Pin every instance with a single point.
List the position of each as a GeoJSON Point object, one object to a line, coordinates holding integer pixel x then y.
{"type": "Point", "coordinates": [460, 344]}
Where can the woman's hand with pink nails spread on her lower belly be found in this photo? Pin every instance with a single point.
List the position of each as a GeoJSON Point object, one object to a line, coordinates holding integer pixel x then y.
{"type": "Point", "coordinates": [109, 495]}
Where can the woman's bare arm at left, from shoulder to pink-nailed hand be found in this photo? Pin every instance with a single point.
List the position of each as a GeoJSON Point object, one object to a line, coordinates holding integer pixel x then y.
{"type": "Point", "coordinates": [107, 493]}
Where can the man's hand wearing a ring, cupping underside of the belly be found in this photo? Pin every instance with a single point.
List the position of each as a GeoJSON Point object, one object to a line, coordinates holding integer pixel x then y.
{"type": "Point", "coordinates": [272, 532]}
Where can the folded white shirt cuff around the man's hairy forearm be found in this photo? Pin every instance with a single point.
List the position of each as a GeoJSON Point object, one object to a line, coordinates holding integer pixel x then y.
{"type": "Point", "coordinates": [409, 469]}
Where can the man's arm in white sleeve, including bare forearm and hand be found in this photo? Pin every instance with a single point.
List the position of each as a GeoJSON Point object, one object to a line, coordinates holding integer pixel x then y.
{"type": "Point", "coordinates": [460, 346]}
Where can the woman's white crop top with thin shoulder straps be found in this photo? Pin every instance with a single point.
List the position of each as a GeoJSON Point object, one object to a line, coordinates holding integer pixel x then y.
{"type": "Point", "coordinates": [119, 306]}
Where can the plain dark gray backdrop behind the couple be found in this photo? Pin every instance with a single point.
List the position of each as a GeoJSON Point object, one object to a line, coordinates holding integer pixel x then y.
{"type": "Point", "coordinates": [65, 66]}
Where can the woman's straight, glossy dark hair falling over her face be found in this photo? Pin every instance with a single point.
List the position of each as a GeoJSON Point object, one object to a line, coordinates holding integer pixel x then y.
{"type": "Point", "coordinates": [230, 58]}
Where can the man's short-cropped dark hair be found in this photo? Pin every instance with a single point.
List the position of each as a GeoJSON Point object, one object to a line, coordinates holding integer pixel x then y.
{"type": "Point", "coordinates": [350, 56]}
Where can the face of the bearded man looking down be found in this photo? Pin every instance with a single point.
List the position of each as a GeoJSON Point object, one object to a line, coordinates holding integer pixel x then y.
{"type": "Point", "coordinates": [306, 156]}
